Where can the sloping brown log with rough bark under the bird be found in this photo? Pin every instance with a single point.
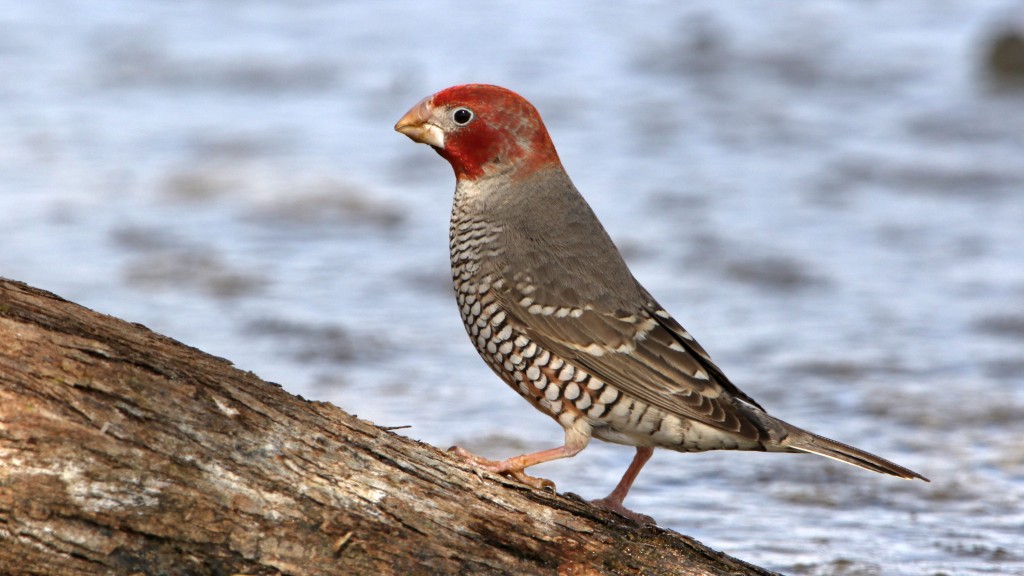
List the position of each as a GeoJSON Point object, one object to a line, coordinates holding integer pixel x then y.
{"type": "Point", "coordinates": [126, 452]}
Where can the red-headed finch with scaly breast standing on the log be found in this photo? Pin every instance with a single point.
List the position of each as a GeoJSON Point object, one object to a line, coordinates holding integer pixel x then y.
{"type": "Point", "coordinates": [552, 308]}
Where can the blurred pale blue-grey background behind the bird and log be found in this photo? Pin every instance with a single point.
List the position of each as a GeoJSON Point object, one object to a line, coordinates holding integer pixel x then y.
{"type": "Point", "coordinates": [829, 195]}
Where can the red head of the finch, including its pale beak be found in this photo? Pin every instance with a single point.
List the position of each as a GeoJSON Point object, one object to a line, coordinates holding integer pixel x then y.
{"type": "Point", "coordinates": [482, 131]}
